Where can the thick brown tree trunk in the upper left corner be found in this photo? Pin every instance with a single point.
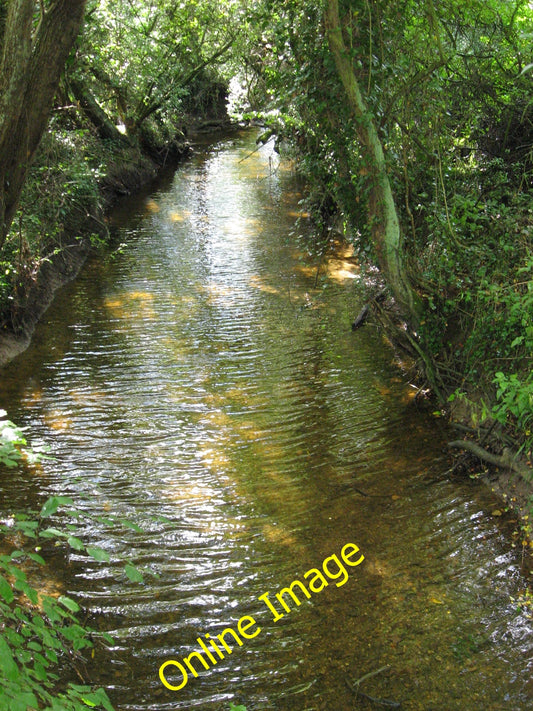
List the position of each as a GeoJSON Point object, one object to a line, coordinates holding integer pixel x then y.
{"type": "Point", "coordinates": [30, 69]}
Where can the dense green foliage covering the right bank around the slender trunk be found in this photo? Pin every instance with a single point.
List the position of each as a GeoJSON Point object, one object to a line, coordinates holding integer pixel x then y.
{"type": "Point", "coordinates": [449, 89]}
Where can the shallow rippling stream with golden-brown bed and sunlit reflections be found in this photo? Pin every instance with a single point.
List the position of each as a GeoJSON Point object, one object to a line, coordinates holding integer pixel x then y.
{"type": "Point", "coordinates": [201, 376]}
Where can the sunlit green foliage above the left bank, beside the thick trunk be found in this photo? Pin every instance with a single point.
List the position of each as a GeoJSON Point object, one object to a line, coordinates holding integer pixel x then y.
{"type": "Point", "coordinates": [146, 67]}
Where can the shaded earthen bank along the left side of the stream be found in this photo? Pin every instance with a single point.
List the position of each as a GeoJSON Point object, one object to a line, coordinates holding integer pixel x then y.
{"type": "Point", "coordinates": [77, 224]}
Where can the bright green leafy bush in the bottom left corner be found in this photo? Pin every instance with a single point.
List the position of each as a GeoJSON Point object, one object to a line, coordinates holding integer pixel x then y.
{"type": "Point", "coordinates": [39, 631]}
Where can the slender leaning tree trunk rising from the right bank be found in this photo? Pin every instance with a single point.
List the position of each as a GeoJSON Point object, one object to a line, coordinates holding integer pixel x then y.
{"type": "Point", "coordinates": [383, 217]}
